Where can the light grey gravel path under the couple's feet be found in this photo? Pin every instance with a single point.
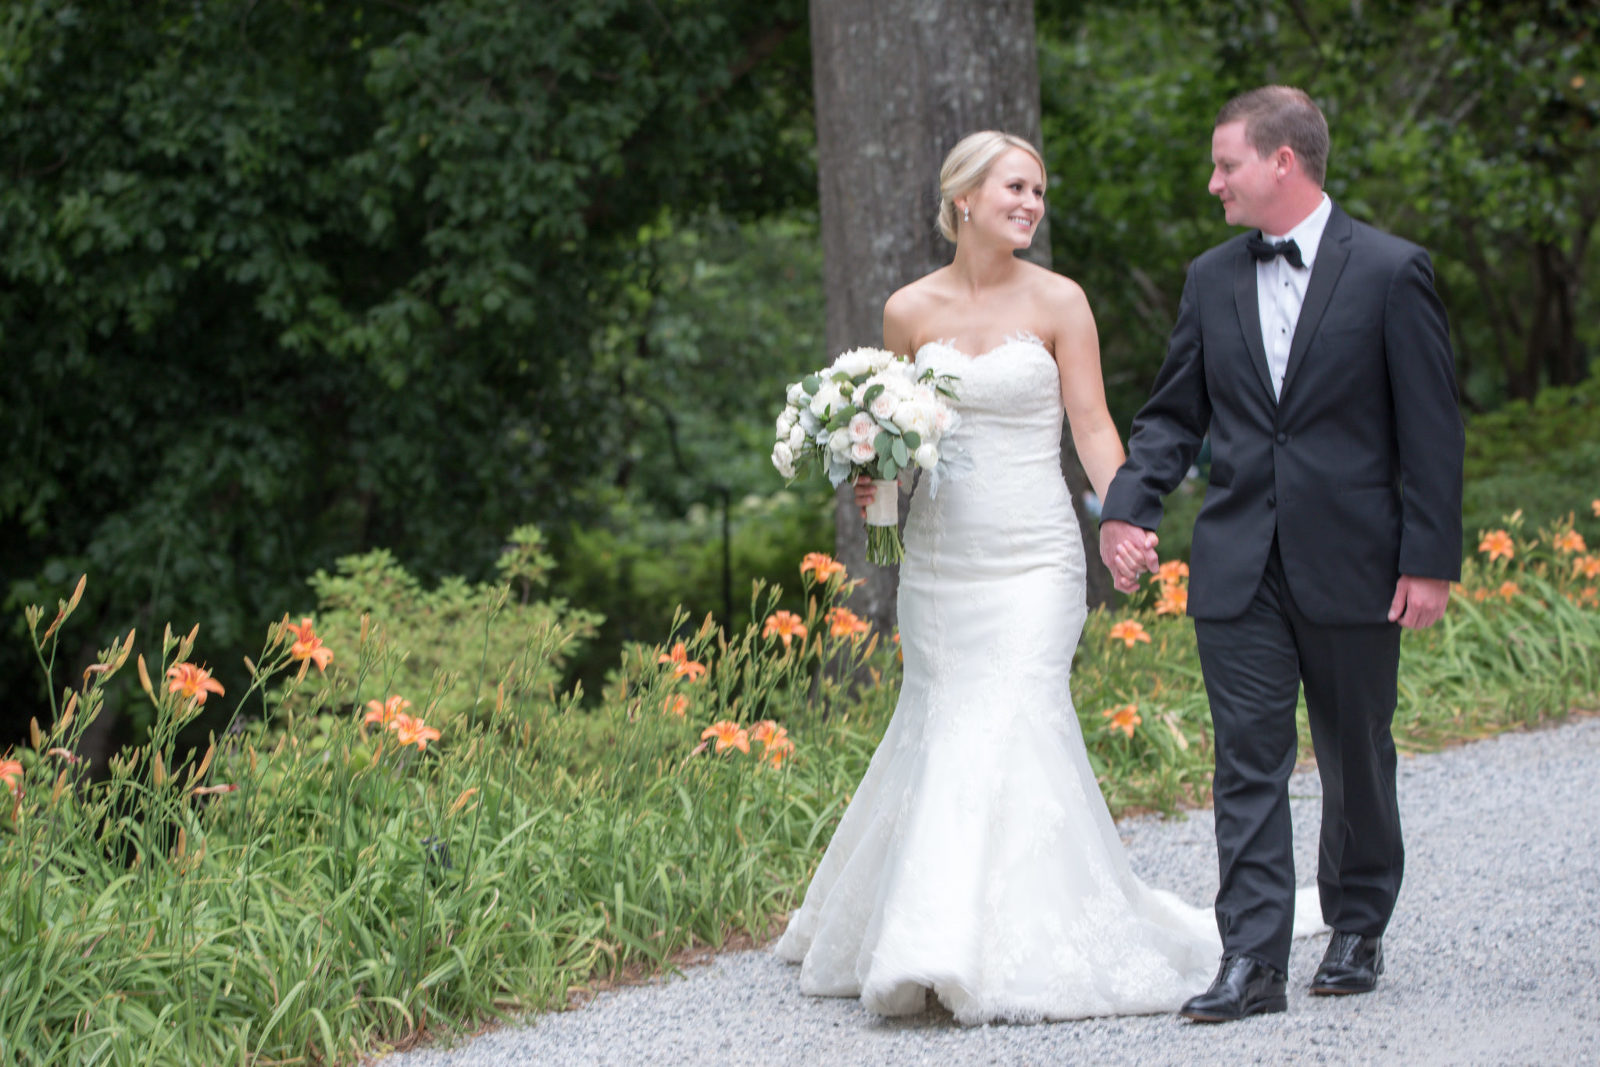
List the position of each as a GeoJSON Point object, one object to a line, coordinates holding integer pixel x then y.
{"type": "Point", "coordinates": [1494, 956]}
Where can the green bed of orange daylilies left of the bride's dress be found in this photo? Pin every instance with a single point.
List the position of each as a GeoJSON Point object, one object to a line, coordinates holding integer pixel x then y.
{"type": "Point", "coordinates": [314, 887]}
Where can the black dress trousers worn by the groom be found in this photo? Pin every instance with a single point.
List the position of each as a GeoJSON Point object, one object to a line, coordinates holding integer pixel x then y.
{"type": "Point", "coordinates": [1254, 669]}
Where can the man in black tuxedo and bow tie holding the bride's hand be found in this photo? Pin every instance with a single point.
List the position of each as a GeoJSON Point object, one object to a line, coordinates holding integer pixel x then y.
{"type": "Point", "coordinates": [1316, 354]}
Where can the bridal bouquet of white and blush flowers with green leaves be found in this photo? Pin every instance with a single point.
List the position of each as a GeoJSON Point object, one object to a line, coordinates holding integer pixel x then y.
{"type": "Point", "coordinates": [871, 415]}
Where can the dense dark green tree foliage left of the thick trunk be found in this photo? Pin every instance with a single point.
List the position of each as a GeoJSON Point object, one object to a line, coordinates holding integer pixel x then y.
{"type": "Point", "coordinates": [287, 282]}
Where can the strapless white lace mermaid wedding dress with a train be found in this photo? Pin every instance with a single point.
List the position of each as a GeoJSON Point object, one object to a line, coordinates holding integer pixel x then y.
{"type": "Point", "coordinates": [977, 858]}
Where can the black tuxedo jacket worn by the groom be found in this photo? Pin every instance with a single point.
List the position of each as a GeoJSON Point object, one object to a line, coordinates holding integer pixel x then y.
{"type": "Point", "coordinates": [1356, 468]}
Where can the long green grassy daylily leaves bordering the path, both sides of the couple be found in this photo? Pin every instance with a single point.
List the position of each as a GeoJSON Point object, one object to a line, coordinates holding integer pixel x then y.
{"type": "Point", "coordinates": [353, 893]}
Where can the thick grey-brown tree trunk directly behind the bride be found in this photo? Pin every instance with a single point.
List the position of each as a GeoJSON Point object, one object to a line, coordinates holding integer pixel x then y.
{"type": "Point", "coordinates": [898, 84]}
